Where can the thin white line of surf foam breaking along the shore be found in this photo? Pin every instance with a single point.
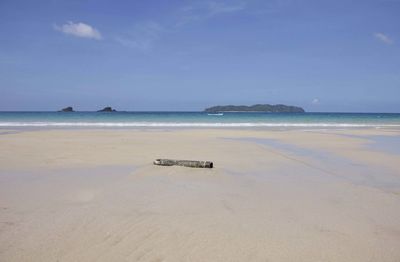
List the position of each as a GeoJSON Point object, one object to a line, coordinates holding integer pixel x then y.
{"type": "Point", "coordinates": [192, 124]}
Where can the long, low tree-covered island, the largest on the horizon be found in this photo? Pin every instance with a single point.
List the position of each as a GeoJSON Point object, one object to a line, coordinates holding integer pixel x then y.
{"type": "Point", "coordinates": [256, 108]}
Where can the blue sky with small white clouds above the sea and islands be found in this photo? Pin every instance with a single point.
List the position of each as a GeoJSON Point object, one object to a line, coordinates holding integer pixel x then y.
{"type": "Point", "coordinates": [156, 55]}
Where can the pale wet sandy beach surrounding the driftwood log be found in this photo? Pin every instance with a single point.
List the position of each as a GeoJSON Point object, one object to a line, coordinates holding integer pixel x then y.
{"type": "Point", "coordinates": [274, 195]}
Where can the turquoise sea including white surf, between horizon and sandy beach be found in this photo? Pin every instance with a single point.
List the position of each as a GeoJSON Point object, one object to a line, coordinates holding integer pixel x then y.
{"type": "Point", "coordinates": [196, 119]}
